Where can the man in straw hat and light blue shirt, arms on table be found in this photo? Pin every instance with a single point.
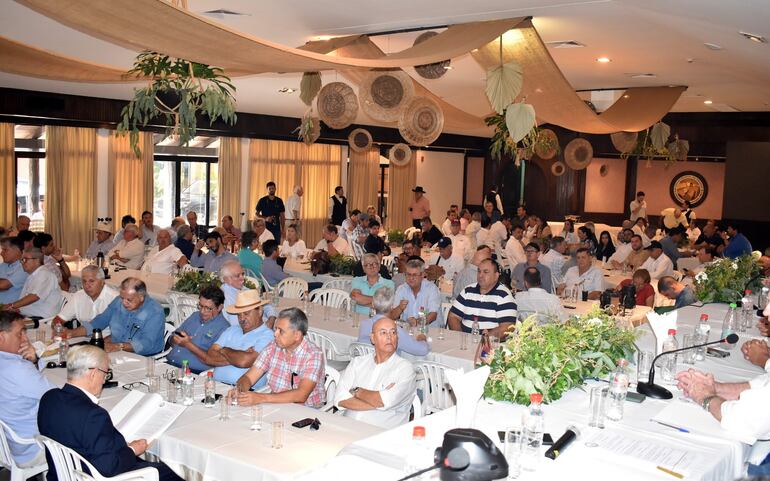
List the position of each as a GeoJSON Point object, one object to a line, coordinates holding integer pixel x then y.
{"type": "Point", "coordinates": [239, 346]}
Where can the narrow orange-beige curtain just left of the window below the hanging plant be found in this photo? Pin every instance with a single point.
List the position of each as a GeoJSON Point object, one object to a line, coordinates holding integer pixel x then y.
{"type": "Point", "coordinates": [131, 177]}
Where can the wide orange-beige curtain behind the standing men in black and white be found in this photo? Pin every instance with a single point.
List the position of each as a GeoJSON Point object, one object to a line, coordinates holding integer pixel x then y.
{"type": "Point", "coordinates": [316, 167]}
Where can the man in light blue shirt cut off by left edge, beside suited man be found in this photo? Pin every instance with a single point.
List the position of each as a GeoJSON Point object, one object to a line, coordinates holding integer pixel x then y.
{"type": "Point", "coordinates": [23, 386]}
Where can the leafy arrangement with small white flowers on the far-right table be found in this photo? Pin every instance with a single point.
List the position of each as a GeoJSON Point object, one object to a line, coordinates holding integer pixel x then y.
{"type": "Point", "coordinates": [725, 280]}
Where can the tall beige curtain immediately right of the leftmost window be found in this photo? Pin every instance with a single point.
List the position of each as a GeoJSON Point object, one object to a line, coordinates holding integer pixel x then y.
{"type": "Point", "coordinates": [70, 191]}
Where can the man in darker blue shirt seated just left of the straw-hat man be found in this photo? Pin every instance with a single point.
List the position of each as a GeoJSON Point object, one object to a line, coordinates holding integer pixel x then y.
{"type": "Point", "coordinates": [199, 331]}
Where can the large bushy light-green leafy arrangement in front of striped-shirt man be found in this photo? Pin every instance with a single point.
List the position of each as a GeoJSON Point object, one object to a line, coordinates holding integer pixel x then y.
{"type": "Point", "coordinates": [553, 358]}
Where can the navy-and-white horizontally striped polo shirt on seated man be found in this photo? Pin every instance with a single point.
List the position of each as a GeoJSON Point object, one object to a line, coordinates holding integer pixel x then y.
{"type": "Point", "coordinates": [493, 308]}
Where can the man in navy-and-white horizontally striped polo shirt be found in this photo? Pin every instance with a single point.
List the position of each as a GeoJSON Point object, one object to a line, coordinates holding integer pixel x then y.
{"type": "Point", "coordinates": [488, 301]}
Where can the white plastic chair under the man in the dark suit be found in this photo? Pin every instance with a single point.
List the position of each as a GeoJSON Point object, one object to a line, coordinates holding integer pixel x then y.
{"type": "Point", "coordinates": [67, 464]}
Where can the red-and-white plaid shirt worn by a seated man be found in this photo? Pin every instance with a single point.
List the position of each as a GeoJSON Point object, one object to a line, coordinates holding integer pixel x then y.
{"type": "Point", "coordinates": [285, 369]}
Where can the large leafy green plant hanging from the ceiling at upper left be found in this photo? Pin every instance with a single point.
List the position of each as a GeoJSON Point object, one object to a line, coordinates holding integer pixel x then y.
{"type": "Point", "coordinates": [177, 91]}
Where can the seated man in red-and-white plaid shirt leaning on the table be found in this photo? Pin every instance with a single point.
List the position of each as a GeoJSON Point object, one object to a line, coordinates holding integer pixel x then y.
{"type": "Point", "coordinates": [294, 366]}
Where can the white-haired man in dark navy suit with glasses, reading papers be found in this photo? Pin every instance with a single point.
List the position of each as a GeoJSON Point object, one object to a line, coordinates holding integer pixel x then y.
{"type": "Point", "coordinates": [72, 417]}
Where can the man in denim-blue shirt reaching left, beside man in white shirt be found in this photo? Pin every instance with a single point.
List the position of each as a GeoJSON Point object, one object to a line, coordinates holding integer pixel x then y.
{"type": "Point", "coordinates": [135, 320]}
